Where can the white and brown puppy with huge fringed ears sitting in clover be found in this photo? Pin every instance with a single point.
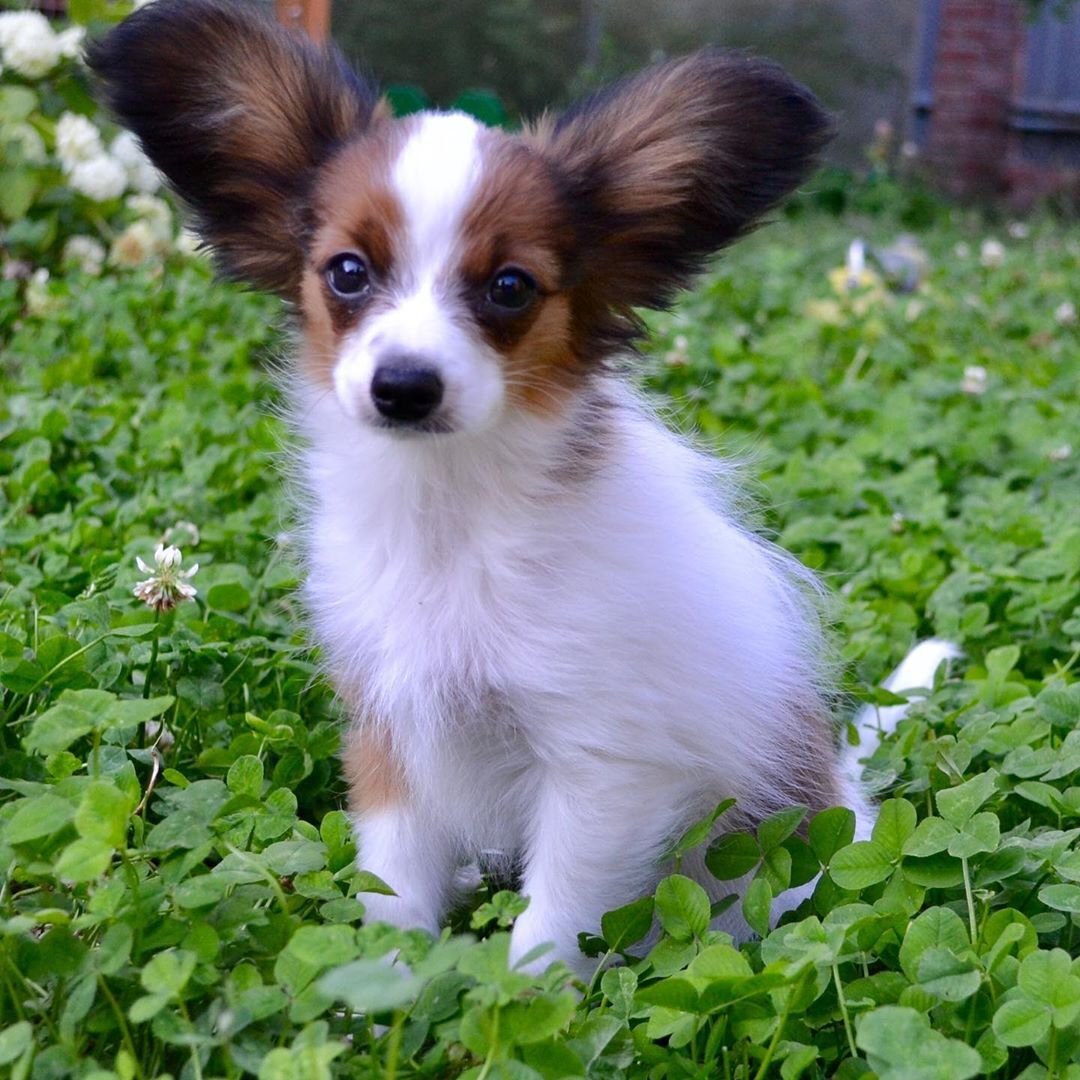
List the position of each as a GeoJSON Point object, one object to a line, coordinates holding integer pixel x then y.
{"type": "Point", "coordinates": [552, 633]}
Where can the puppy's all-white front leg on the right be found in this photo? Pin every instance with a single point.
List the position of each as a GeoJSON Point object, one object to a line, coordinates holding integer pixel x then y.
{"type": "Point", "coordinates": [597, 843]}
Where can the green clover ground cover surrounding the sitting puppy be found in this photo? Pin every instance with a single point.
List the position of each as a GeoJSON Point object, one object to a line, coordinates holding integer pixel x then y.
{"type": "Point", "coordinates": [179, 893]}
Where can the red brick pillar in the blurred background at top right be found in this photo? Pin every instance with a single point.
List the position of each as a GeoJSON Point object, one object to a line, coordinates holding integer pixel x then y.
{"type": "Point", "coordinates": [979, 47]}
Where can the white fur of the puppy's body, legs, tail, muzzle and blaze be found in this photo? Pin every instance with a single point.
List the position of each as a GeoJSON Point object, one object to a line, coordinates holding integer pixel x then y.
{"type": "Point", "coordinates": [571, 668]}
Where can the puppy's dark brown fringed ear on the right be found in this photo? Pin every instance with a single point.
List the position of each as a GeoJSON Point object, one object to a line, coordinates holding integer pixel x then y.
{"type": "Point", "coordinates": [665, 169]}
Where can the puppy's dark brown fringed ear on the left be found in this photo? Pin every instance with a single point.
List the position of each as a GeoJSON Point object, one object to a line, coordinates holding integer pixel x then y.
{"type": "Point", "coordinates": [237, 113]}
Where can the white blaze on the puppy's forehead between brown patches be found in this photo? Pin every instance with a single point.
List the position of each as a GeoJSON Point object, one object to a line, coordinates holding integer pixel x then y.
{"type": "Point", "coordinates": [435, 177]}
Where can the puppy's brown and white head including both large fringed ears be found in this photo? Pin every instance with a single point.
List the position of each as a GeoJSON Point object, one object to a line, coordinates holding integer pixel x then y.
{"type": "Point", "coordinates": [445, 273]}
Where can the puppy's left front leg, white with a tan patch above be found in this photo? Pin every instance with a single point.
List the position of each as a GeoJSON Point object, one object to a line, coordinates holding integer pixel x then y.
{"type": "Point", "coordinates": [400, 841]}
